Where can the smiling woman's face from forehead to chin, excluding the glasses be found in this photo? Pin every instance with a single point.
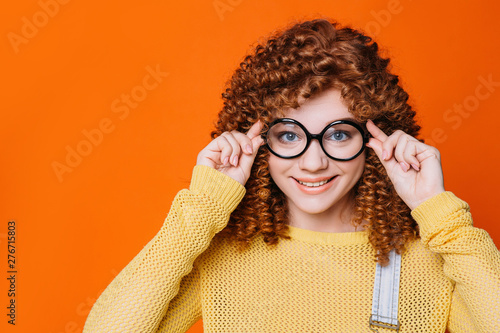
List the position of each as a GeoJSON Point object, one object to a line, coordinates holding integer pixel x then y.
{"type": "Point", "coordinates": [298, 178]}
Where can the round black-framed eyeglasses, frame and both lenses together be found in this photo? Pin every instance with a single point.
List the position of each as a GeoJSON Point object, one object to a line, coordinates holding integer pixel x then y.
{"type": "Point", "coordinates": [341, 140]}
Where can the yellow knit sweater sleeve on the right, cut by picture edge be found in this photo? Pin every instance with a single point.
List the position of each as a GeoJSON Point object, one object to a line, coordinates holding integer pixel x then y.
{"type": "Point", "coordinates": [471, 261]}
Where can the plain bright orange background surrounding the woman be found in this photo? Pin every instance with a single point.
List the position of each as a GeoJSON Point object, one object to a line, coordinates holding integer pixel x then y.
{"type": "Point", "coordinates": [67, 74]}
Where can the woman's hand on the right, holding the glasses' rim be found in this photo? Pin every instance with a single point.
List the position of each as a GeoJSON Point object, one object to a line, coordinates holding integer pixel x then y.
{"type": "Point", "coordinates": [413, 167]}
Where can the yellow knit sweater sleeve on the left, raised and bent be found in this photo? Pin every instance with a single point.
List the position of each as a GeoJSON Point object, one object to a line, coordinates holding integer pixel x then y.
{"type": "Point", "coordinates": [160, 285]}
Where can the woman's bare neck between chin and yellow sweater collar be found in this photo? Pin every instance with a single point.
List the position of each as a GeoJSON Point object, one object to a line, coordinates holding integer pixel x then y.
{"type": "Point", "coordinates": [336, 219]}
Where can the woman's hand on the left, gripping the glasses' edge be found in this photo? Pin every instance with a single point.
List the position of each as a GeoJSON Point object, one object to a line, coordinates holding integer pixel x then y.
{"type": "Point", "coordinates": [233, 153]}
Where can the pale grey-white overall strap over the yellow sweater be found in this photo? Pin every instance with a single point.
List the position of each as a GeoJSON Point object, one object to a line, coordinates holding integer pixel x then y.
{"type": "Point", "coordinates": [386, 294]}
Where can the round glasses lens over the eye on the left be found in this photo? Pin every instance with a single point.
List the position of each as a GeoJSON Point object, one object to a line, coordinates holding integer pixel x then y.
{"type": "Point", "coordinates": [286, 139]}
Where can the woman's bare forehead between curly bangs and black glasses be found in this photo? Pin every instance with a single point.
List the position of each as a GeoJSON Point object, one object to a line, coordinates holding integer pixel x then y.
{"type": "Point", "coordinates": [320, 110]}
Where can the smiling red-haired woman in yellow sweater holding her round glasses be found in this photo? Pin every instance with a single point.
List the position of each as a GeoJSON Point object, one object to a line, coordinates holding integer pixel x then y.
{"type": "Point", "coordinates": [314, 209]}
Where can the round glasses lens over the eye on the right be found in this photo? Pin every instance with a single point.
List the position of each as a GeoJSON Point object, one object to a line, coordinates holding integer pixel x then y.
{"type": "Point", "coordinates": [342, 141]}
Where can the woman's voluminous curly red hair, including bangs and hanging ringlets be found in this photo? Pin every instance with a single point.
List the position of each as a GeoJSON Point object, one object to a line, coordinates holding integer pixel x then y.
{"type": "Point", "coordinates": [296, 64]}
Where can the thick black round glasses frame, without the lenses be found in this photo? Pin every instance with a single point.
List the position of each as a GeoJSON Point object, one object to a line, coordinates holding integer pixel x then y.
{"type": "Point", "coordinates": [319, 137]}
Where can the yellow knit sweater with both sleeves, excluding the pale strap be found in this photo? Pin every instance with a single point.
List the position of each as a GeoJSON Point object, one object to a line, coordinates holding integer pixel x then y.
{"type": "Point", "coordinates": [315, 282]}
